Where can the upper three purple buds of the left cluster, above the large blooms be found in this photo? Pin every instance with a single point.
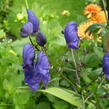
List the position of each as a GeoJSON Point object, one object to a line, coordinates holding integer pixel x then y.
{"type": "Point", "coordinates": [32, 28]}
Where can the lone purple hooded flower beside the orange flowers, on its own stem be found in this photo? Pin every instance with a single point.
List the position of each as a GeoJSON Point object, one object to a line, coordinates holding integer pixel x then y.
{"type": "Point", "coordinates": [71, 37]}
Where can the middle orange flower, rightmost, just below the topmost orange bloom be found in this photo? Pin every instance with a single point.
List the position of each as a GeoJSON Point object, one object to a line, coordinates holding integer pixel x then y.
{"type": "Point", "coordinates": [100, 17]}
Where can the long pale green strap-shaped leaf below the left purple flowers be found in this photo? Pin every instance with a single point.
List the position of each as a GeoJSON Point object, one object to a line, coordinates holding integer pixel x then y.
{"type": "Point", "coordinates": [64, 95]}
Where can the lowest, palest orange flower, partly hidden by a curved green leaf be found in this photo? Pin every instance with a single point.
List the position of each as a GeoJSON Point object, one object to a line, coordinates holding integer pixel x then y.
{"type": "Point", "coordinates": [82, 28]}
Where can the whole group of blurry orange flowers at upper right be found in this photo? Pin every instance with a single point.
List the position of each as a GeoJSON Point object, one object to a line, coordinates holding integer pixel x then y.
{"type": "Point", "coordinates": [94, 14]}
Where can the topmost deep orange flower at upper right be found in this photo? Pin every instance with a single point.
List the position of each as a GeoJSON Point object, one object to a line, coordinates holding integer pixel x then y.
{"type": "Point", "coordinates": [92, 9]}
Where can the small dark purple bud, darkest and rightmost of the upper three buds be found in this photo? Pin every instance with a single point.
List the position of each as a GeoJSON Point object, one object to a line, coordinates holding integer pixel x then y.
{"type": "Point", "coordinates": [41, 39]}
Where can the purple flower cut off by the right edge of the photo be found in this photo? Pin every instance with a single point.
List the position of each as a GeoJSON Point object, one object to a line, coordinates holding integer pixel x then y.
{"type": "Point", "coordinates": [105, 64]}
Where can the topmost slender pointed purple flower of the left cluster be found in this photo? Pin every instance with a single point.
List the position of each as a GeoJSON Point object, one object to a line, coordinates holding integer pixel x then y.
{"type": "Point", "coordinates": [34, 20]}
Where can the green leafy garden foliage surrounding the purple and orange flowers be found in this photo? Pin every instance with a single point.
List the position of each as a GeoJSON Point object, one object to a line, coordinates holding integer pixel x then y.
{"type": "Point", "coordinates": [63, 90]}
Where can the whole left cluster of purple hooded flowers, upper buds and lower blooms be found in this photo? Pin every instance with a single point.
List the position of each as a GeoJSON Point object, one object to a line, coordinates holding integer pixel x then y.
{"type": "Point", "coordinates": [34, 71]}
